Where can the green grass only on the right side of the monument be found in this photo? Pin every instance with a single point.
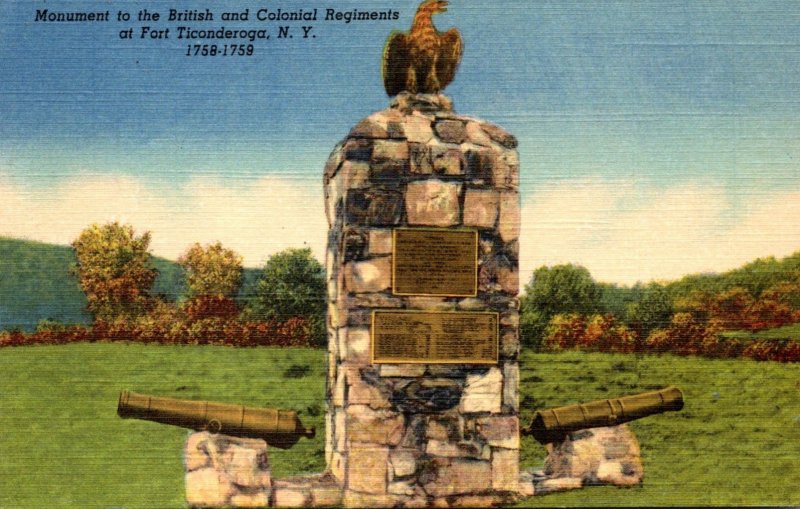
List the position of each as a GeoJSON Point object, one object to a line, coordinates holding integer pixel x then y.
{"type": "Point", "coordinates": [734, 443]}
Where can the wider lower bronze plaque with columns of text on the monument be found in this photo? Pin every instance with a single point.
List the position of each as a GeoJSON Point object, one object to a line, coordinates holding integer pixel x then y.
{"type": "Point", "coordinates": [435, 338]}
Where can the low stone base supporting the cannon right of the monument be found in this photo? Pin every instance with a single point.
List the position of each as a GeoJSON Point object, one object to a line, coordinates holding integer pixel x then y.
{"type": "Point", "coordinates": [589, 457]}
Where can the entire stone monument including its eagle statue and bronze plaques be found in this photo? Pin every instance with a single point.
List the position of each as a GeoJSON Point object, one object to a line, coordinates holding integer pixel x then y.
{"type": "Point", "coordinates": [422, 264]}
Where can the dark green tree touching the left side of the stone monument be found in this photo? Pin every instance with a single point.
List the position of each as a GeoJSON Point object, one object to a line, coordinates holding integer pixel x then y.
{"type": "Point", "coordinates": [292, 284]}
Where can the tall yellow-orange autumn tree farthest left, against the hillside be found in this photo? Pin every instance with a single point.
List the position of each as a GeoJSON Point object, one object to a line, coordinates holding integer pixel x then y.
{"type": "Point", "coordinates": [114, 270]}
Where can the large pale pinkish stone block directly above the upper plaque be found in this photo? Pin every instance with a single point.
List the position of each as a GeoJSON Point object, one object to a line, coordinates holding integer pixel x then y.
{"type": "Point", "coordinates": [433, 203]}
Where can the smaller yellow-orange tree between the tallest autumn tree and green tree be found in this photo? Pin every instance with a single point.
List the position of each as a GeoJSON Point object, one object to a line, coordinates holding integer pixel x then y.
{"type": "Point", "coordinates": [214, 276]}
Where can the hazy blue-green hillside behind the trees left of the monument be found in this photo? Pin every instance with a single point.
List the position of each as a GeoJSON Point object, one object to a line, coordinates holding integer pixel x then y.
{"type": "Point", "coordinates": [36, 284]}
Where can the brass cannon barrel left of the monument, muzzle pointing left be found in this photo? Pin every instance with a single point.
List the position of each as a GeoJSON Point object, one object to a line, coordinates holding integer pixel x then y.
{"type": "Point", "coordinates": [279, 428]}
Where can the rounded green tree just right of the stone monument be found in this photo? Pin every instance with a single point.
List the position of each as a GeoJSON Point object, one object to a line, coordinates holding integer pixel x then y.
{"type": "Point", "coordinates": [561, 289]}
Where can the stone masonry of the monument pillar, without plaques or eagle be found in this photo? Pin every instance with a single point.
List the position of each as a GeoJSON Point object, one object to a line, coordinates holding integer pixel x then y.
{"type": "Point", "coordinates": [412, 434]}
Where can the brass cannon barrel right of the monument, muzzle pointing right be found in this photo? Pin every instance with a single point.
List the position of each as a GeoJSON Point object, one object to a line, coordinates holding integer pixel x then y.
{"type": "Point", "coordinates": [553, 424]}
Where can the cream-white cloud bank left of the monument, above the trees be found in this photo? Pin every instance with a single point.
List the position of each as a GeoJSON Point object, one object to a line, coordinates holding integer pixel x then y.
{"type": "Point", "coordinates": [256, 218]}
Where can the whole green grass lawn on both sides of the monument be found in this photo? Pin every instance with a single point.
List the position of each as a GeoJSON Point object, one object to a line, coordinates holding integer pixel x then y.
{"type": "Point", "coordinates": [62, 445]}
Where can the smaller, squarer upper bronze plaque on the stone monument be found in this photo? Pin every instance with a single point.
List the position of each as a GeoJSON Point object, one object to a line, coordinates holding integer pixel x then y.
{"type": "Point", "coordinates": [435, 262]}
